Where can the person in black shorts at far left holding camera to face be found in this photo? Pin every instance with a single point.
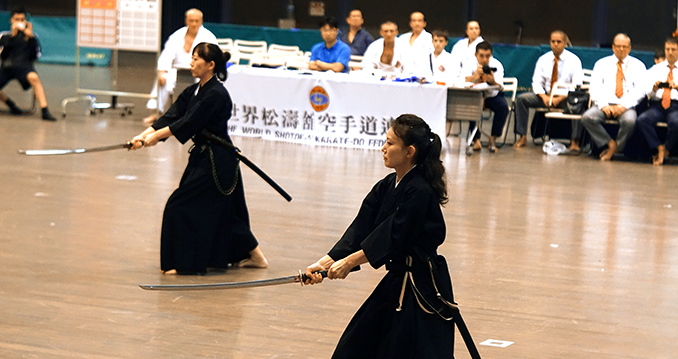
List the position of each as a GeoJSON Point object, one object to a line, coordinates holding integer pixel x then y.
{"type": "Point", "coordinates": [20, 49]}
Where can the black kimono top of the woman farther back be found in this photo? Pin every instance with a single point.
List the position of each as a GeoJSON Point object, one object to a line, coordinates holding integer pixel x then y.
{"type": "Point", "coordinates": [210, 109]}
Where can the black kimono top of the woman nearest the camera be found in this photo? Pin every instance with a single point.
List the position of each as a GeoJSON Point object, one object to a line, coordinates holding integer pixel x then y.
{"type": "Point", "coordinates": [393, 220]}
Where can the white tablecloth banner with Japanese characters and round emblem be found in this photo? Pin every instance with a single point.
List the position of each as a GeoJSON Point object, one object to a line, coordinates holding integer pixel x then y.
{"type": "Point", "coordinates": [349, 111]}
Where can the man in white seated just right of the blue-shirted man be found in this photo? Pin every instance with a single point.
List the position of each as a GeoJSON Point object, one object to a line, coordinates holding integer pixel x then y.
{"type": "Point", "coordinates": [384, 54]}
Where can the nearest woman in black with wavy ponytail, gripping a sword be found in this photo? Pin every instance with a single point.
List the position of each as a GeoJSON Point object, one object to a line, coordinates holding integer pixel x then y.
{"type": "Point", "coordinates": [400, 224]}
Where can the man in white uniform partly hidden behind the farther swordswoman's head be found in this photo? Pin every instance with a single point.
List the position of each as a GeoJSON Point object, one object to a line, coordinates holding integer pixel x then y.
{"type": "Point", "coordinates": [176, 55]}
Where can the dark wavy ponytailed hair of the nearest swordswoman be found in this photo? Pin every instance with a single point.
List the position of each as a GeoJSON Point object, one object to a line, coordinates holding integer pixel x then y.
{"type": "Point", "coordinates": [413, 131]}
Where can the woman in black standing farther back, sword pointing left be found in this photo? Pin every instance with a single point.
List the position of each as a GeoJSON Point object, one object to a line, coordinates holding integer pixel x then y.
{"type": "Point", "coordinates": [205, 223]}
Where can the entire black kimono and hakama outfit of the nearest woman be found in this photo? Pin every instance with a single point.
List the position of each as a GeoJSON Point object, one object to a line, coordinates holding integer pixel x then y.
{"type": "Point", "coordinates": [395, 223]}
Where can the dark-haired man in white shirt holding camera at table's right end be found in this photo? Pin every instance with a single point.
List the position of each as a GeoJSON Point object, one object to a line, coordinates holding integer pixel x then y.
{"type": "Point", "coordinates": [483, 70]}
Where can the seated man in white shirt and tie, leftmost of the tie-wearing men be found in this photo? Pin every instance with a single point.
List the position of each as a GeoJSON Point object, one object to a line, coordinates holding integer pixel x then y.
{"type": "Point", "coordinates": [557, 65]}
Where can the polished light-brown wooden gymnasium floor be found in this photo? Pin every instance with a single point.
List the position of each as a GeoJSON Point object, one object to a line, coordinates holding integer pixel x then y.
{"type": "Point", "coordinates": [566, 257]}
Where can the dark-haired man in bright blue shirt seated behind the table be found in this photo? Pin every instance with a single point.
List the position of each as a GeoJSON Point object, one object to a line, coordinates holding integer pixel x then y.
{"type": "Point", "coordinates": [331, 54]}
